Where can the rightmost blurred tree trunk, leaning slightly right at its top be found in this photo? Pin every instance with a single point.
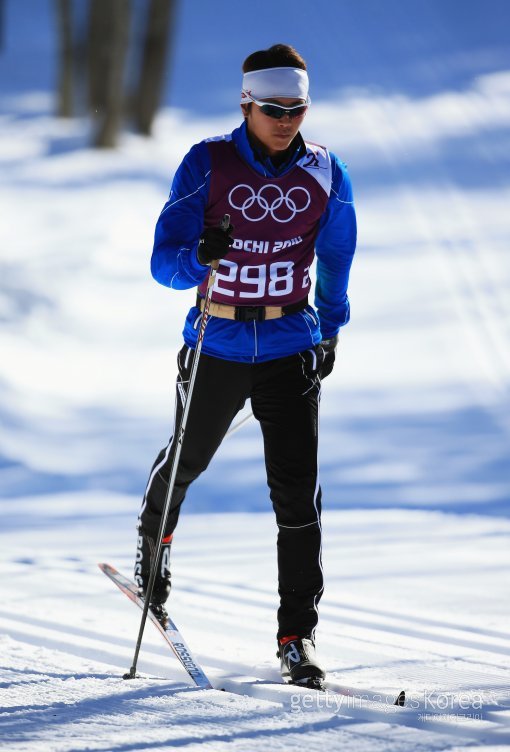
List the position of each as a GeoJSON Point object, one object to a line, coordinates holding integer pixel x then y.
{"type": "Point", "coordinates": [147, 96]}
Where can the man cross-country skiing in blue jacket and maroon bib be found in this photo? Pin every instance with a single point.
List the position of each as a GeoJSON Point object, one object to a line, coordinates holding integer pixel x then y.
{"type": "Point", "coordinates": [287, 199]}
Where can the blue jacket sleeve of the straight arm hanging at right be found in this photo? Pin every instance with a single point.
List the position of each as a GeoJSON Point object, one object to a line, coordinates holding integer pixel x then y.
{"type": "Point", "coordinates": [334, 247]}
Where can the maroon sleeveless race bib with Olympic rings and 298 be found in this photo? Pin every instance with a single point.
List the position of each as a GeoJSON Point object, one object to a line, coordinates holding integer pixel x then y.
{"type": "Point", "coordinates": [275, 220]}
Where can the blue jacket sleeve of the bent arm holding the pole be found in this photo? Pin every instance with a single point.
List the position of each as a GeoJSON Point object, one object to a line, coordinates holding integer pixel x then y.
{"type": "Point", "coordinates": [174, 261]}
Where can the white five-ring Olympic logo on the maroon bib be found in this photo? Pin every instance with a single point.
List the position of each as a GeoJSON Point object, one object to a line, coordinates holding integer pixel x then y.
{"type": "Point", "coordinates": [269, 200]}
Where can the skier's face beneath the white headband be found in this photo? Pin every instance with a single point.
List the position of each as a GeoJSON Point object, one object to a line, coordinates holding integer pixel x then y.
{"type": "Point", "coordinates": [274, 135]}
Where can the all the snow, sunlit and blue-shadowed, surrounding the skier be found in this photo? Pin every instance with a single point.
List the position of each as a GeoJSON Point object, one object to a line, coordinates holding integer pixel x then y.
{"type": "Point", "coordinates": [414, 430]}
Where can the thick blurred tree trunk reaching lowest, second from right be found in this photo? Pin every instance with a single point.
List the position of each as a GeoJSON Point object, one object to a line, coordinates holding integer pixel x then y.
{"type": "Point", "coordinates": [108, 41]}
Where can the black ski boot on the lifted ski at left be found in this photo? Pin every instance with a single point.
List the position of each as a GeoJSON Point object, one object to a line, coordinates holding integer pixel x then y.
{"type": "Point", "coordinates": [145, 551]}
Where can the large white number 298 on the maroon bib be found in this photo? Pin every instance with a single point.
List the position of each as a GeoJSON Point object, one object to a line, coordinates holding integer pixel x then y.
{"type": "Point", "coordinates": [254, 281]}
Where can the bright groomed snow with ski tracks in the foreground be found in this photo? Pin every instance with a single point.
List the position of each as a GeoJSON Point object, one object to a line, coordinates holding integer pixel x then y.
{"type": "Point", "coordinates": [403, 609]}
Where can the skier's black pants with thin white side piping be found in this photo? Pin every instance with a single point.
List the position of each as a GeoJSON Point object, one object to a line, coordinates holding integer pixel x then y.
{"type": "Point", "coordinates": [285, 400]}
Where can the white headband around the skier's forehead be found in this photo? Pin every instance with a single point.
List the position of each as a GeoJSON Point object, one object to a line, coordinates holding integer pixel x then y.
{"type": "Point", "coordinates": [275, 82]}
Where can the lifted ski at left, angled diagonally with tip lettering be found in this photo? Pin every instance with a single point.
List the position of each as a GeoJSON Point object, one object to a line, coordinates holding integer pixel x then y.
{"type": "Point", "coordinates": [170, 632]}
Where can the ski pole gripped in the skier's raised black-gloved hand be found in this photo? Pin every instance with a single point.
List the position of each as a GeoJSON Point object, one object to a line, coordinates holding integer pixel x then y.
{"type": "Point", "coordinates": [175, 463]}
